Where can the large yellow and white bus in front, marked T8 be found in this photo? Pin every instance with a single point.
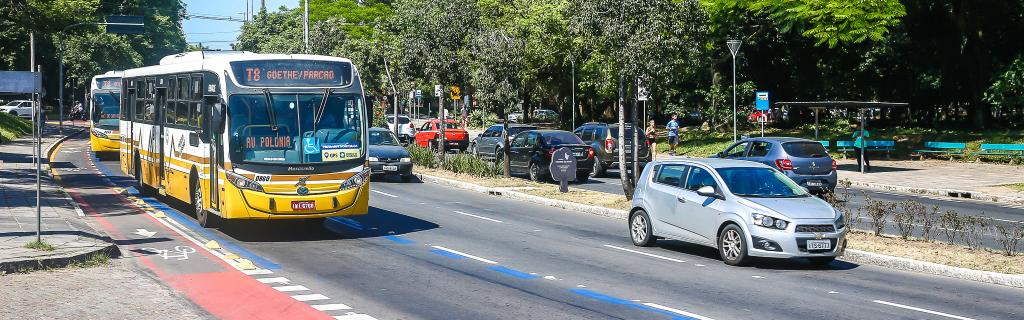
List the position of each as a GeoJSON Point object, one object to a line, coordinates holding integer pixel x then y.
{"type": "Point", "coordinates": [246, 136]}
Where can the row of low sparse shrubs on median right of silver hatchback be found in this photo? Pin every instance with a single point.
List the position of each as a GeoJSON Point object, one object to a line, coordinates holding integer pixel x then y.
{"type": "Point", "coordinates": [915, 222]}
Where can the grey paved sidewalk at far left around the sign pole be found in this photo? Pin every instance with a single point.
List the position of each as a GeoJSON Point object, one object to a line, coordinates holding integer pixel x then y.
{"type": "Point", "coordinates": [72, 238]}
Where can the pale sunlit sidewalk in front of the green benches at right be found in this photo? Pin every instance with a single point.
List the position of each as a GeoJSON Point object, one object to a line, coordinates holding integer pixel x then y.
{"type": "Point", "coordinates": [975, 181]}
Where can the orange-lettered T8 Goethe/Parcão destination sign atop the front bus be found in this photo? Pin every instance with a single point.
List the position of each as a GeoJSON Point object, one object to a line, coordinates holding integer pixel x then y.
{"type": "Point", "coordinates": [290, 73]}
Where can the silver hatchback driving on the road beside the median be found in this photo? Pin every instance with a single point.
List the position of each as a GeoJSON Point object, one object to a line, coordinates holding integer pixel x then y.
{"type": "Point", "coordinates": [743, 209]}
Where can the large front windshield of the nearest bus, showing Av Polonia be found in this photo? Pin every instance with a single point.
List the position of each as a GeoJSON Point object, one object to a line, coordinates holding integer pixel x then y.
{"type": "Point", "coordinates": [288, 134]}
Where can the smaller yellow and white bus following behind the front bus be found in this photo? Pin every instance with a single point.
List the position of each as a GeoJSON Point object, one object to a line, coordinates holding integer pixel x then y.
{"type": "Point", "coordinates": [105, 106]}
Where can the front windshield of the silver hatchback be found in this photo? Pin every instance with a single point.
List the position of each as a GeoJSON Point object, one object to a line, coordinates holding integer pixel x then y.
{"type": "Point", "coordinates": [760, 183]}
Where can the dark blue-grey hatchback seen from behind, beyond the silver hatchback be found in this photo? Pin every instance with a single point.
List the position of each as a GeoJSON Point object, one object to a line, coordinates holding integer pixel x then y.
{"type": "Point", "coordinates": [805, 162]}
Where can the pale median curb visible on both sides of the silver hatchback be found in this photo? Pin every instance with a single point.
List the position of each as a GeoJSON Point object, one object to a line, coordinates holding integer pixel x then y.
{"type": "Point", "coordinates": [852, 256]}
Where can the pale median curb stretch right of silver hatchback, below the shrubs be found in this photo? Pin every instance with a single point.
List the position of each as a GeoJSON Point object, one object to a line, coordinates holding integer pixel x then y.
{"type": "Point", "coordinates": [933, 269]}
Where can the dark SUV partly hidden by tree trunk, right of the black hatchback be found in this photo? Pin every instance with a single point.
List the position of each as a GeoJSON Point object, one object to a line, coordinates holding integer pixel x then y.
{"type": "Point", "coordinates": [604, 138]}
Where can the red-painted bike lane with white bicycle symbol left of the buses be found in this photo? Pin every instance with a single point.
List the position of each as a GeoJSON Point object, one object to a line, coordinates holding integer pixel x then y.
{"type": "Point", "coordinates": [197, 269]}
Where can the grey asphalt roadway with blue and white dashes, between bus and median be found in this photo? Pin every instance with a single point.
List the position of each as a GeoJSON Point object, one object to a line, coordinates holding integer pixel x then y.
{"type": "Point", "coordinates": [426, 252]}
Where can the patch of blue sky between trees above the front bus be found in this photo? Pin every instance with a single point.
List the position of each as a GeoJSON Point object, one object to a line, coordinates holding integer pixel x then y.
{"type": "Point", "coordinates": [221, 34]}
